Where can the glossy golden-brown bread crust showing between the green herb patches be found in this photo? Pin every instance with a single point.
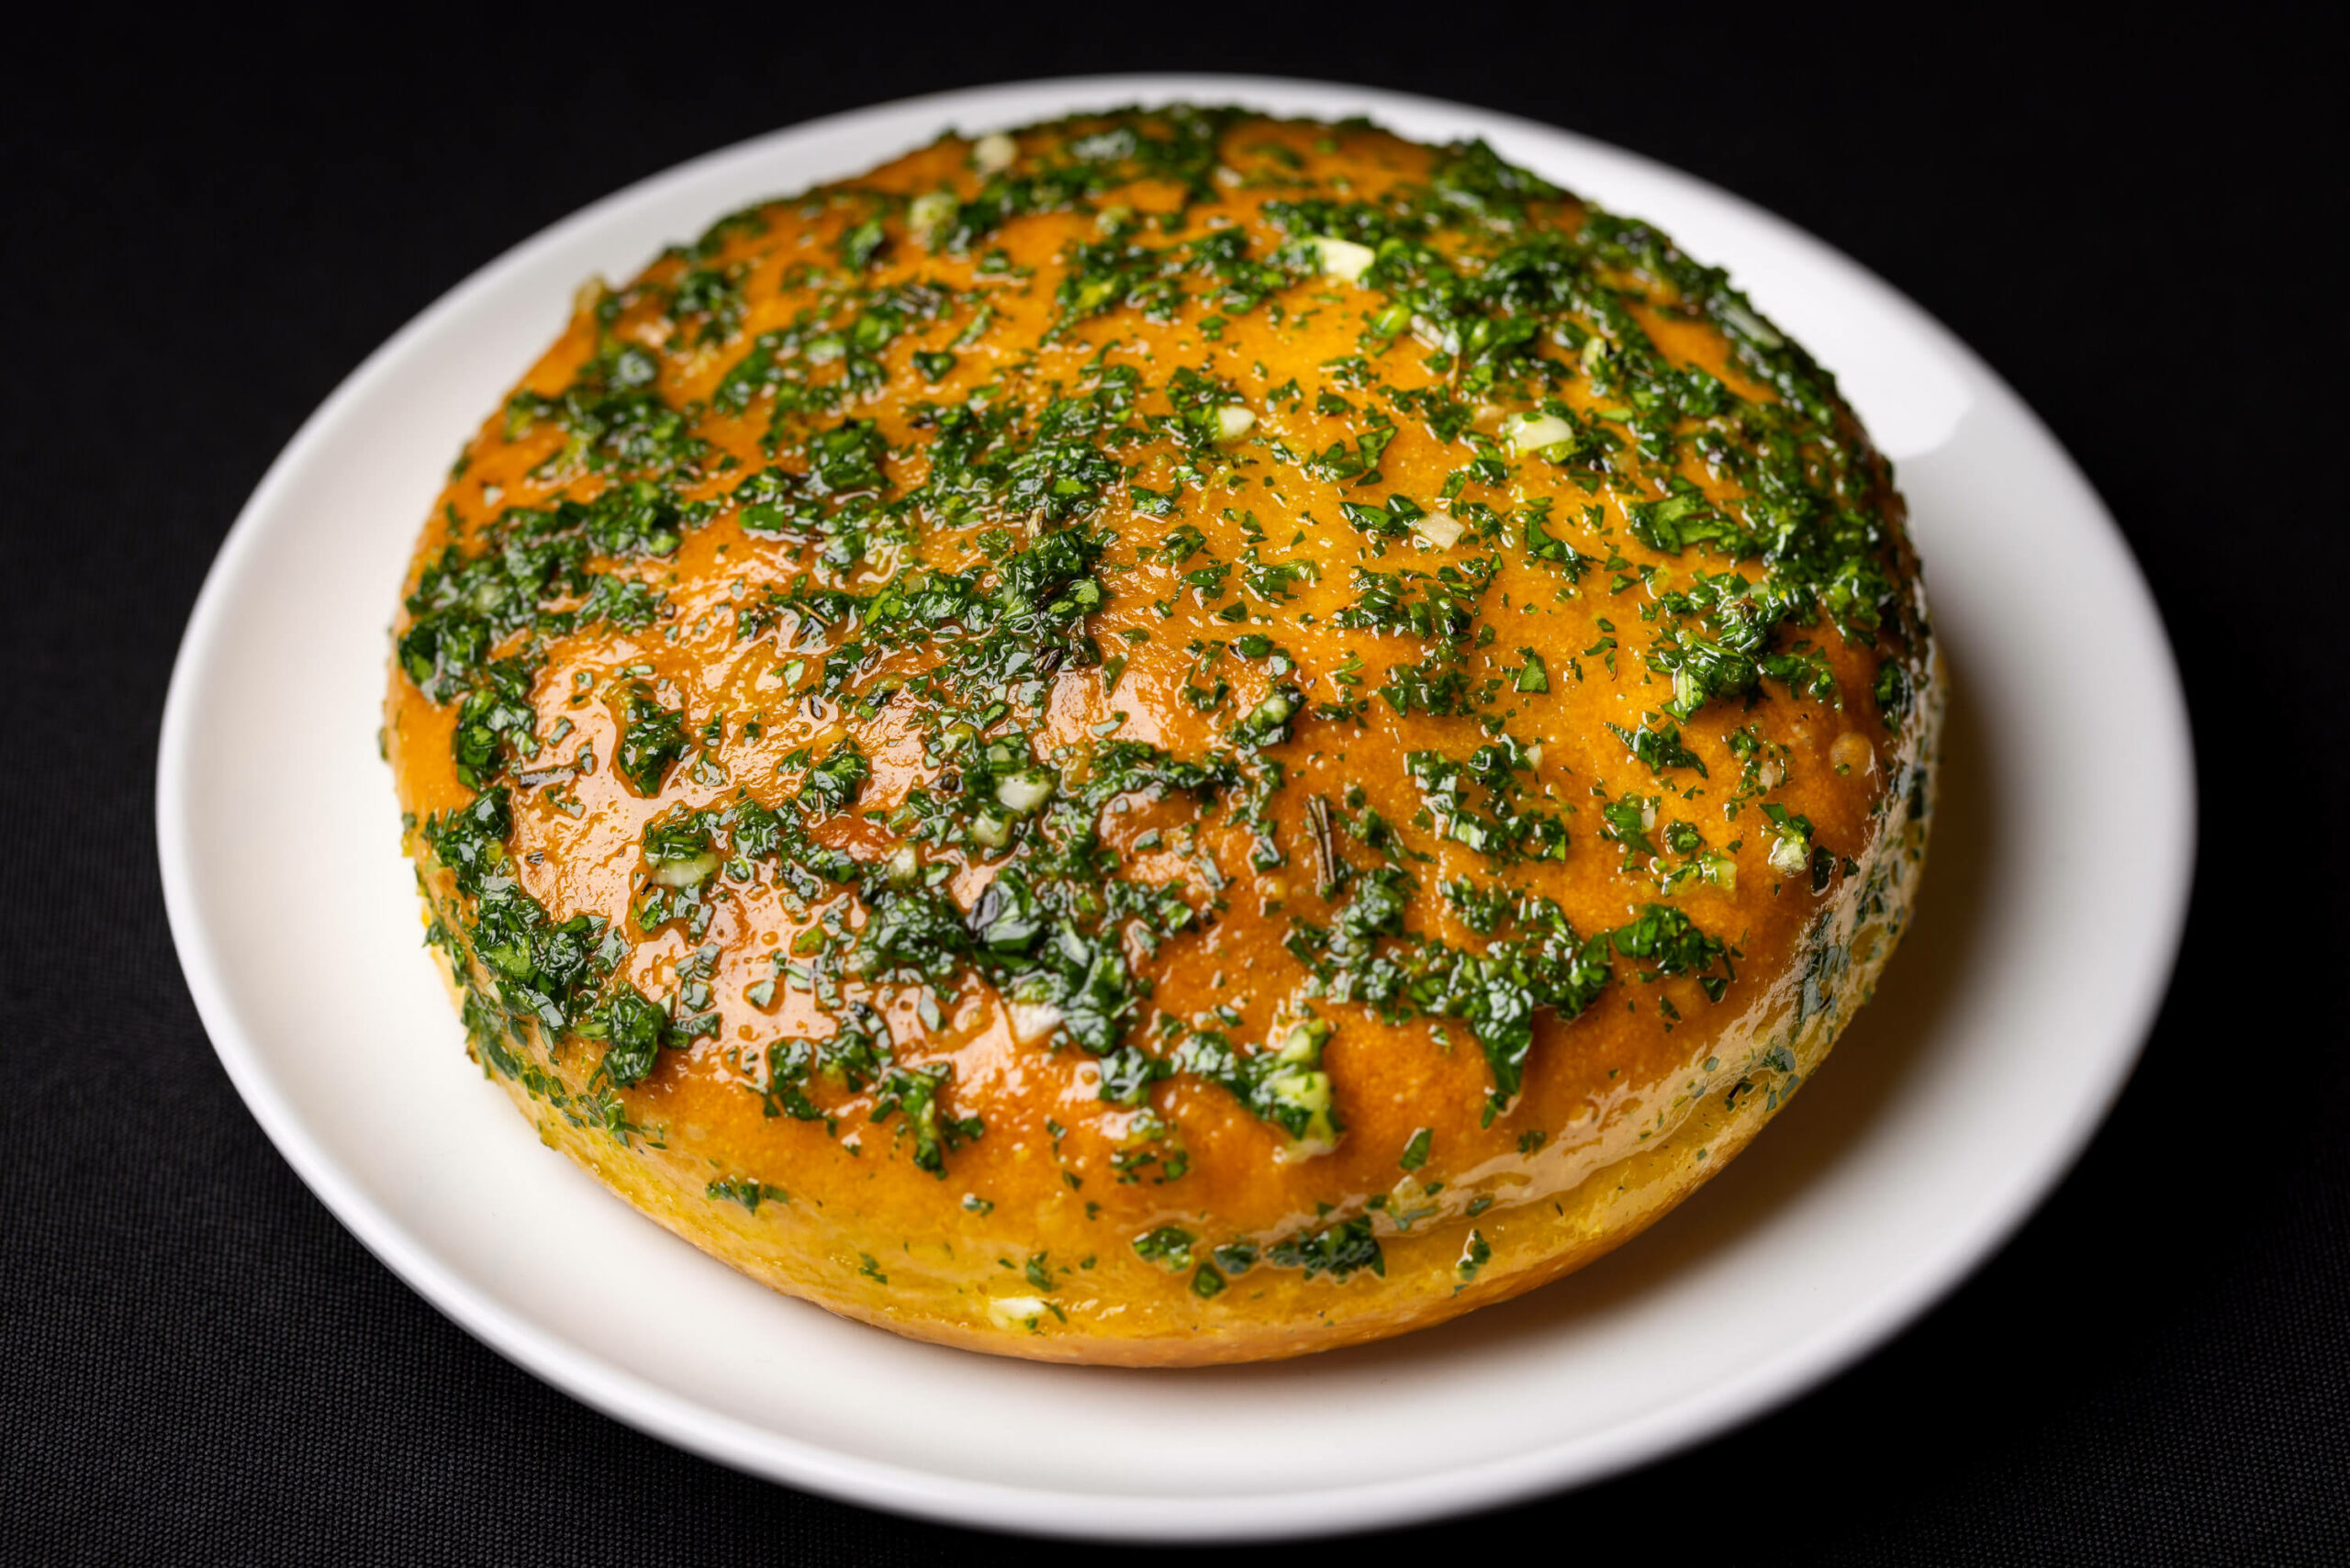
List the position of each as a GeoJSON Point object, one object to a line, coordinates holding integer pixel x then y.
{"type": "Point", "coordinates": [1021, 1240]}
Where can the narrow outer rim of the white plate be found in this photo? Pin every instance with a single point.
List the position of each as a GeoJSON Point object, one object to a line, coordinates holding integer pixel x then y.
{"type": "Point", "coordinates": [676, 1419]}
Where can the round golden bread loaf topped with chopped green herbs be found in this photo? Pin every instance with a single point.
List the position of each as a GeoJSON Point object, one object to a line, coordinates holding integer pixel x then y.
{"type": "Point", "coordinates": [1167, 739]}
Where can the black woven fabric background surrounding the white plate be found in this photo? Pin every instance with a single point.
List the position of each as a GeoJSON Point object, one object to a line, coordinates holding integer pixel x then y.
{"type": "Point", "coordinates": [206, 229]}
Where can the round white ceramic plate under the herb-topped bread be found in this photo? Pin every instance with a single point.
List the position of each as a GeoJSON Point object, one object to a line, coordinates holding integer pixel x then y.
{"type": "Point", "coordinates": [2001, 1036]}
